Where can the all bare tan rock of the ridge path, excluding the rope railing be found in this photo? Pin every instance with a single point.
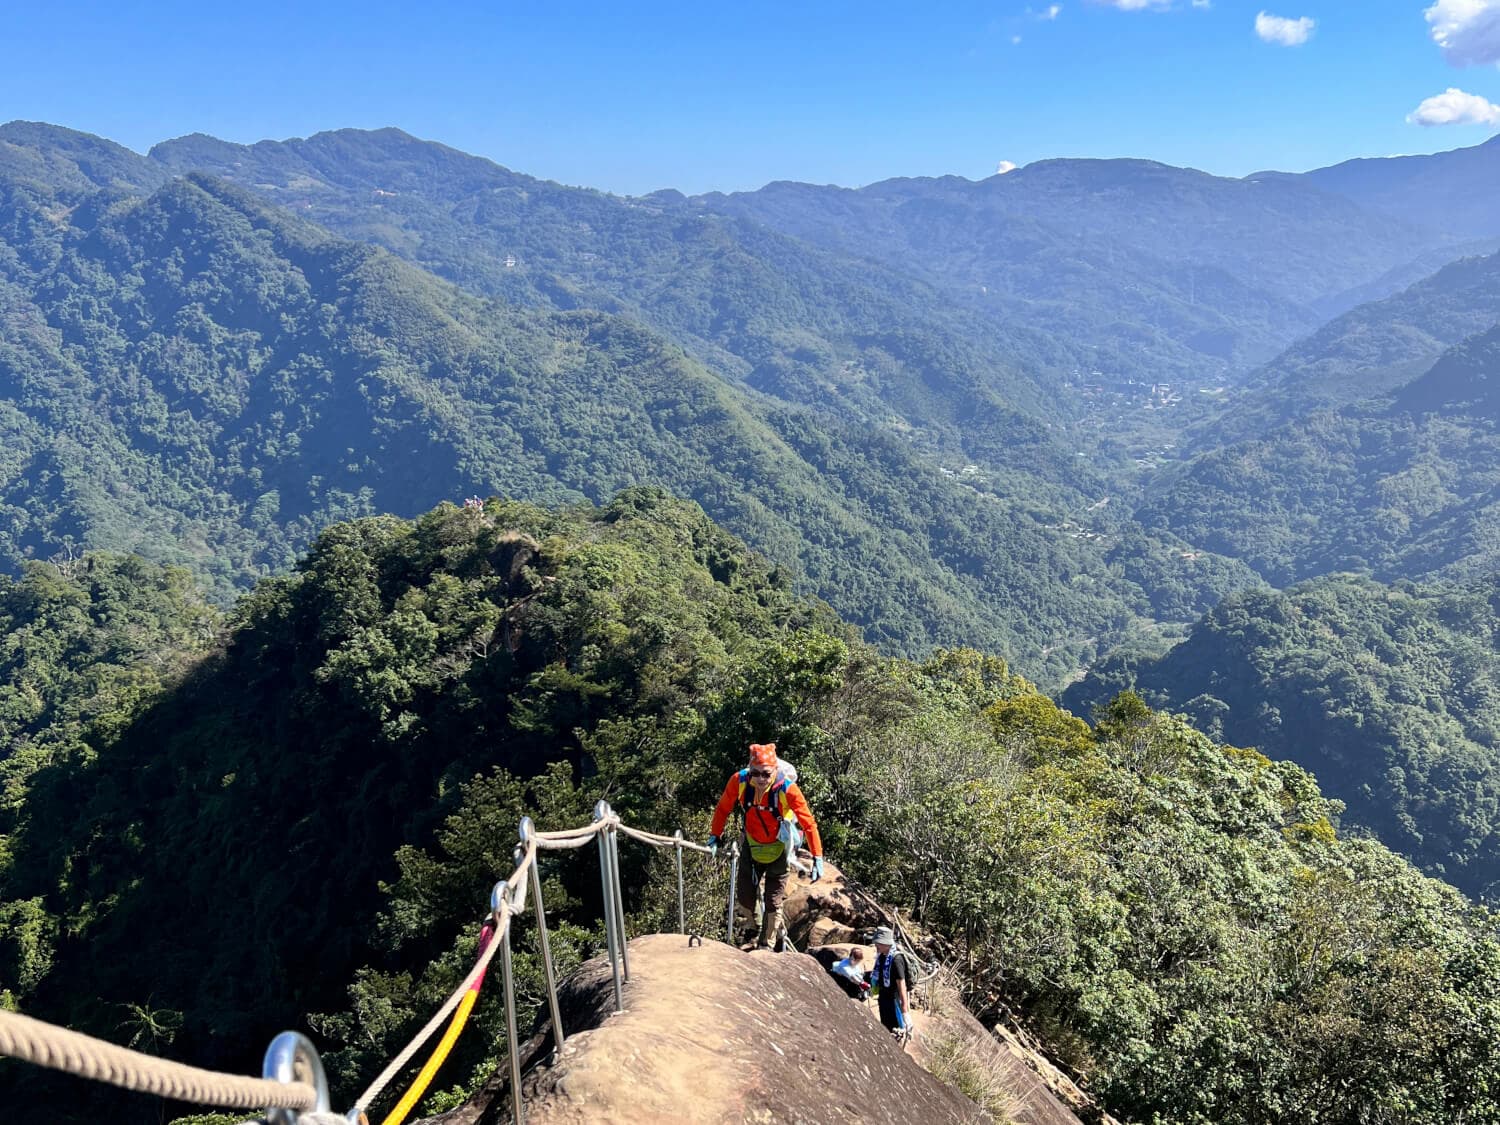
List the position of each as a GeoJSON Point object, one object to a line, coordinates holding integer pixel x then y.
{"type": "Point", "coordinates": [716, 1036]}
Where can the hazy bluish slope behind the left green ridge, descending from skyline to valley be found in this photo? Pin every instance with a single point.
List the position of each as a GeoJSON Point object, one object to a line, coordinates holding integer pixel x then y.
{"type": "Point", "coordinates": [805, 326]}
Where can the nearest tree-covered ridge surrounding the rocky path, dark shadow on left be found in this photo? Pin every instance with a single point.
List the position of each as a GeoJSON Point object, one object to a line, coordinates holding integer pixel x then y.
{"type": "Point", "coordinates": [1178, 919]}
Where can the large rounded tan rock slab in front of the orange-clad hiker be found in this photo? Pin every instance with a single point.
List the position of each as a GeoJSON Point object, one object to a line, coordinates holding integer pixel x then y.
{"type": "Point", "coordinates": [710, 1015]}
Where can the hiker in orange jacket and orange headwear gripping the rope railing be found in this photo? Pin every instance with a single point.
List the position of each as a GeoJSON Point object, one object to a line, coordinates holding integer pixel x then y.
{"type": "Point", "coordinates": [775, 811]}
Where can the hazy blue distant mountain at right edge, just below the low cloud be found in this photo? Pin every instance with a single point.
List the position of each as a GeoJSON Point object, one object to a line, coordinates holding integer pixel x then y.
{"type": "Point", "coordinates": [1451, 191]}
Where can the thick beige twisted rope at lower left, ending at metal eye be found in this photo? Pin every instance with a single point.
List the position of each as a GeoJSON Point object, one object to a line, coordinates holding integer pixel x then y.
{"type": "Point", "coordinates": [89, 1058]}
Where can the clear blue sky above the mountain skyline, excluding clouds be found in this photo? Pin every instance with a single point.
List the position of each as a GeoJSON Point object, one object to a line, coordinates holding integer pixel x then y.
{"type": "Point", "coordinates": [635, 97]}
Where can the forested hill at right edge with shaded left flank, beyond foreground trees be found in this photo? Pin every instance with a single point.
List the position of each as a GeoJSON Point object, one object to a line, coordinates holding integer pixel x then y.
{"type": "Point", "coordinates": [1390, 695]}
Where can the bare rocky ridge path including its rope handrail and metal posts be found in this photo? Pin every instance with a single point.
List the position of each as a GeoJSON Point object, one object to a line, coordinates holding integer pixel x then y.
{"type": "Point", "coordinates": [662, 1028]}
